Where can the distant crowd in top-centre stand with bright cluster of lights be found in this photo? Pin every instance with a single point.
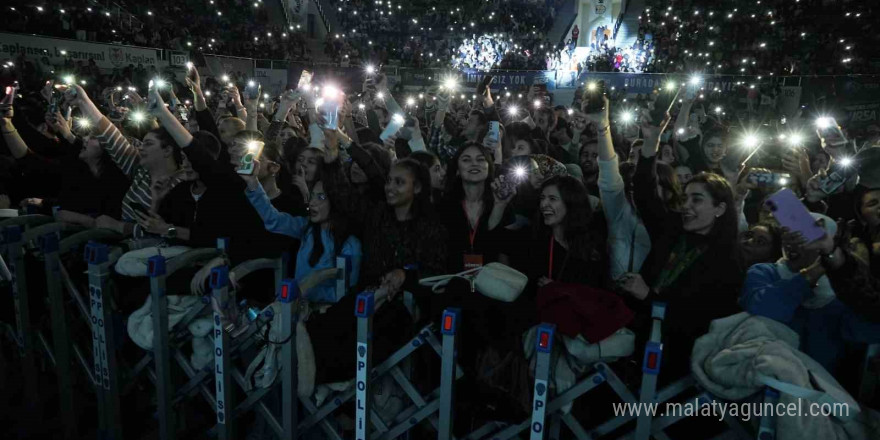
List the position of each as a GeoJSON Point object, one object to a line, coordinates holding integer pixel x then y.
{"type": "Point", "coordinates": [509, 34]}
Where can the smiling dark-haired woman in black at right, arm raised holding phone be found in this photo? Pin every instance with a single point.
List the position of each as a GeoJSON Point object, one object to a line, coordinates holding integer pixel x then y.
{"type": "Point", "coordinates": [693, 264]}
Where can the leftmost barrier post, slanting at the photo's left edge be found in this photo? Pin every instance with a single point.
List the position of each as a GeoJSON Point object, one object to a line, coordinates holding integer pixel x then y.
{"type": "Point", "coordinates": [24, 332]}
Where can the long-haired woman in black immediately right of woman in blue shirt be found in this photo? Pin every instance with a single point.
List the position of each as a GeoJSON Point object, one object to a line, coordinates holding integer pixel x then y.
{"type": "Point", "coordinates": [402, 243]}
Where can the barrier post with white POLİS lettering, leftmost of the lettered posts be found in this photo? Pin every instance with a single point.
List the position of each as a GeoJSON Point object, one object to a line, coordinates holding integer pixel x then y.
{"type": "Point", "coordinates": [104, 343]}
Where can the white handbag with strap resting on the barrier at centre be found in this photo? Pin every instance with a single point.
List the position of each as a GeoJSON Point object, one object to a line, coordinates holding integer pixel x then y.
{"type": "Point", "coordinates": [494, 280]}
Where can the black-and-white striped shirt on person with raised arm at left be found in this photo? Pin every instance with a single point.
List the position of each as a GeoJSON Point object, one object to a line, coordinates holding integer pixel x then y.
{"type": "Point", "coordinates": [127, 158]}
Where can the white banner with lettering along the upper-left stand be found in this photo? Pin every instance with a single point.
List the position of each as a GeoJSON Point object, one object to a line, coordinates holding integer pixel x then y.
{"type": "Point", "coordinates": [57, 50]}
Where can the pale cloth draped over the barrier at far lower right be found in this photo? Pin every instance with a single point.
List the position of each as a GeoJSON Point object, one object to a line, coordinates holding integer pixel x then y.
{"type": "Point", "coordinates": [739, 350]}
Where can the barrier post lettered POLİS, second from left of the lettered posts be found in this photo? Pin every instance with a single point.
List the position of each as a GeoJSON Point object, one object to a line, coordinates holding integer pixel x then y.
{"type": "Point", "coordinates": [223, 299]}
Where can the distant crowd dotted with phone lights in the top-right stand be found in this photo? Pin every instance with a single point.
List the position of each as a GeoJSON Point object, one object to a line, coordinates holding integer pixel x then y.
{"type": "Point", "coordinates": [773, 36]}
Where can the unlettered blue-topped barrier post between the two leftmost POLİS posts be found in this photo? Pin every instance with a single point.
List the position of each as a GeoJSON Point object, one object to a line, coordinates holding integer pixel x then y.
{"type": "Point", "coordinates": [161, 349]}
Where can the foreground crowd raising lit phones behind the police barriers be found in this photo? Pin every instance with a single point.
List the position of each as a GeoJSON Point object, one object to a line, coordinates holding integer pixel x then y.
{"type": "Point", "coordinates": [586, 200]}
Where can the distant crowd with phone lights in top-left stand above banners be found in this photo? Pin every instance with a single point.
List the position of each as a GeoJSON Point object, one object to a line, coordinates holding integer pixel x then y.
{"type": "Point", "coordinates": [215, 26]}
